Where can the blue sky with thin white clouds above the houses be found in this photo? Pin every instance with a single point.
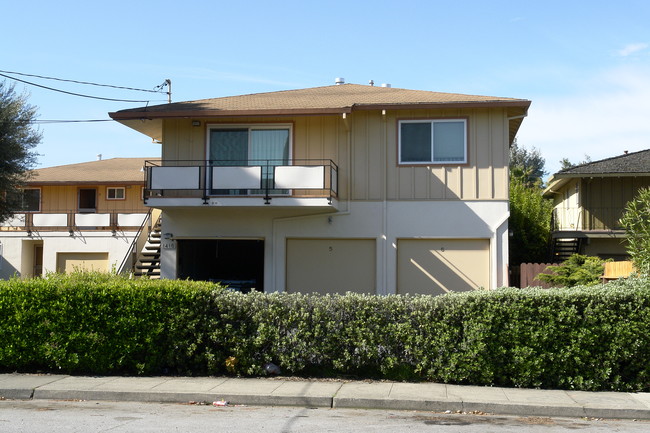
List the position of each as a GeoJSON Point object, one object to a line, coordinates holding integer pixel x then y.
{"type": "Point", "coordinates": [585, 65]}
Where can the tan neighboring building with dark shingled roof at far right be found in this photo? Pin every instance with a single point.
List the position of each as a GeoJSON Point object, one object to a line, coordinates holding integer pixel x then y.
{"type": "Point", "coordinates": [589, 200]}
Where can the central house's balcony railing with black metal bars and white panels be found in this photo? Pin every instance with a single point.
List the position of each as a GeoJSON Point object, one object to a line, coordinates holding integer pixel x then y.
{"type": "Point", "coordinates": [241, 178]}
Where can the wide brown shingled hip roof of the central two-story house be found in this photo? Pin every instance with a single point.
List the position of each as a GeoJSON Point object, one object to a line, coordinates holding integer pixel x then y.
{"type": "Point", "coordinates": [316, 100]}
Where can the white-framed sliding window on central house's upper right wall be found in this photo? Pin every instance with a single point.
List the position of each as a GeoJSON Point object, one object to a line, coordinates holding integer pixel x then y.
{"type": "Point", "coordinates": [433, 141]}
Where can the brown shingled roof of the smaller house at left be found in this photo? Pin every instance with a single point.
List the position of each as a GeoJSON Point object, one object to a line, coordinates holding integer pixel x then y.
{"type": "Point", "coordinates": [107, 171]}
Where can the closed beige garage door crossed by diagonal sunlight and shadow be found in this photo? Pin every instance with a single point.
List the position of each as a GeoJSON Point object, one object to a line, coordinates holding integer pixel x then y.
{"type": "Point", "coordinates": [428, 266]}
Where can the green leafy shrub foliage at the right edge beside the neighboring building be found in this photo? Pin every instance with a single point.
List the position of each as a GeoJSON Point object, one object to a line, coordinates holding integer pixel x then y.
{"type": "Point", "coordinates": [636, 220]}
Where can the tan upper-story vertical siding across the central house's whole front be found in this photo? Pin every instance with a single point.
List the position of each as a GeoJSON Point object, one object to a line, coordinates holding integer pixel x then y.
{"type": "Point", "coordinates": [373, 153]}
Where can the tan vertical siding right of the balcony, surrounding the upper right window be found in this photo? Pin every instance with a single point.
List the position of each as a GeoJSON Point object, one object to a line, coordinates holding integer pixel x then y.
{"type": "Point", "coordinates": [484, 177]}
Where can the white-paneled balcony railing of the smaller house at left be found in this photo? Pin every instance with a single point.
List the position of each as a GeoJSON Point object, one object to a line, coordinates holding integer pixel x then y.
{"type": "Point", "coordinates": [72, 221]}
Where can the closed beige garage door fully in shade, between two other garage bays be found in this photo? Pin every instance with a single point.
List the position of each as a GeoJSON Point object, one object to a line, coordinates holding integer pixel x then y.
{"type": "Point", "coordinates": [331, 265]}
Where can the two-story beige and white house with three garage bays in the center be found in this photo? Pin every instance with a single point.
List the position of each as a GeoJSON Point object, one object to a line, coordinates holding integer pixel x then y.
{"type": "Point", "coordinates": [332, 189]}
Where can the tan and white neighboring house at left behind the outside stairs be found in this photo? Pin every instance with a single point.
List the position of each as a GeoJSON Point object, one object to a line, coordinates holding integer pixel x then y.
{"type": "Point", "coordinates": [76, 216]}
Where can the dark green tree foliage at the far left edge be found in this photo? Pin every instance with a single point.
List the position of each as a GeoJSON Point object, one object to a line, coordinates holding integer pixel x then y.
{"type": "Point", "coordinates": [17, 141]}
